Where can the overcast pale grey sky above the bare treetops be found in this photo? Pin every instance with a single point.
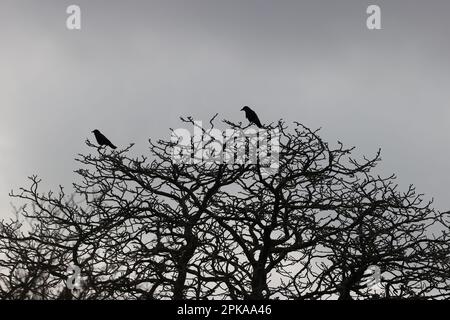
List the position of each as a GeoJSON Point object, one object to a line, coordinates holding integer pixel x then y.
{"type": "Point", "coordinates": [136, 66]}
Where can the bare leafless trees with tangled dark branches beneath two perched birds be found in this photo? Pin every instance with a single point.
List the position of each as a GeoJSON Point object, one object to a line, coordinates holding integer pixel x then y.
{"type": "Point", "coordinates": [157, 228]}
